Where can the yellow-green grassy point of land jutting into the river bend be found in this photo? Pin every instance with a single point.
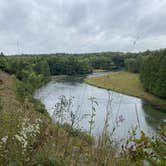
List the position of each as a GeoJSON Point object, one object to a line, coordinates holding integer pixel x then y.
{"type": "Point", "coordinates": [126, 83]}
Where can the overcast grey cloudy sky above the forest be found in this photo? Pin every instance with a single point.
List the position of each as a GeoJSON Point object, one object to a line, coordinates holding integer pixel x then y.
{"type": "Point", "coordinates": [48, 26]}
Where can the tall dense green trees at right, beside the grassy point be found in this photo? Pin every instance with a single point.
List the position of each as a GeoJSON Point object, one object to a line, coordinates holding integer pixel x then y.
{"type": "Point", "coordinates": [152, 68]}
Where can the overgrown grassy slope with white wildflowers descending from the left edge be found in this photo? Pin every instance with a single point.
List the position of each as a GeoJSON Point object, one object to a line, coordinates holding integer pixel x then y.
{"type": "Point", "coordinates": [28, 137]}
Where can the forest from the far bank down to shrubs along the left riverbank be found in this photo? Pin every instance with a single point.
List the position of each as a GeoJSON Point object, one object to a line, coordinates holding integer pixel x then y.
{"type": "Point", "coordinates": [32, 71]}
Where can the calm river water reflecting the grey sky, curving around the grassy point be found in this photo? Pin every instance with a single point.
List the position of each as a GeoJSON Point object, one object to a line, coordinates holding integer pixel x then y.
{"type": "Point", "coordinates": [125, 112]}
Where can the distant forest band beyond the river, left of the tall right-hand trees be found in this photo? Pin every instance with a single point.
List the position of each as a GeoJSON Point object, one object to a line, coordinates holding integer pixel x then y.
{"type": "Point", "coordinates": [61, 64]}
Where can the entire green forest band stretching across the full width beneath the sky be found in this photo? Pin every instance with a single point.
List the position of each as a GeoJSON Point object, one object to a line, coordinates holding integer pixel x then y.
{"type": "Point", "coordinates": [33, 70]}
